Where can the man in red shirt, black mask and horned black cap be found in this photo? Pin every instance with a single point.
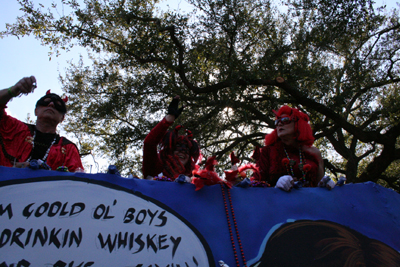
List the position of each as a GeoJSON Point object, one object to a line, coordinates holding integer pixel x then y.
{"type": "Point", "coordinates": [21, 142]}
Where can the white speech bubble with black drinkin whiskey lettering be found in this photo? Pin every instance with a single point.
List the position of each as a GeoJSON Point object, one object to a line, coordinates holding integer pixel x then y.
{"type": "Point", "coordinates": [73, 223]}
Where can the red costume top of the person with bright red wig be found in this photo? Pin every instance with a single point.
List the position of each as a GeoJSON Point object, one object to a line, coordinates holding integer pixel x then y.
{"type": "Point", "coordinates": [271, 167]}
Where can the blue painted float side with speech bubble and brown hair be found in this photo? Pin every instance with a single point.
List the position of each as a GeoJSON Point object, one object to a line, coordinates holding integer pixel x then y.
{"type": "Point", "coordinates": [50, 218]}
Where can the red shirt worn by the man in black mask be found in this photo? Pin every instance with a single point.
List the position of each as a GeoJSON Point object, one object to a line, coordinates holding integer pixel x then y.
{"type": "Point", "coordinates": [16, 137]}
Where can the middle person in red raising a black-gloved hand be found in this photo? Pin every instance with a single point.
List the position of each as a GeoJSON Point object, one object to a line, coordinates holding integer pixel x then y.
{"type": "Point", "coordinates": [178, 154]}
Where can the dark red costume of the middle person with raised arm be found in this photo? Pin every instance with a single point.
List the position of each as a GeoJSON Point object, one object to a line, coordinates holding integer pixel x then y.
{"type": "Point", "coordinates": [156, 162]}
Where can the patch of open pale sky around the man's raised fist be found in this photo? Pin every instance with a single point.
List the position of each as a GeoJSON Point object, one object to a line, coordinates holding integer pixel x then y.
{"type": "Point", "coordinates": [25, 57]}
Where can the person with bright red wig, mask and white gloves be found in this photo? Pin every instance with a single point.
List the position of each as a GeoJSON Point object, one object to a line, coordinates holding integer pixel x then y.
{"type": "Point", "coordinates": [289, 155]}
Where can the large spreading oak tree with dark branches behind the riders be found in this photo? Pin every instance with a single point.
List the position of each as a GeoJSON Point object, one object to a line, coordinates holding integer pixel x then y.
{"type": "Point", "coordinates": [232, 62]}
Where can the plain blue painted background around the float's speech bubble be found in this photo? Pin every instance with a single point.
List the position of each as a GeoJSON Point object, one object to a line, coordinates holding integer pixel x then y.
{"type": "Point", "coordinates": [368, 208]}
